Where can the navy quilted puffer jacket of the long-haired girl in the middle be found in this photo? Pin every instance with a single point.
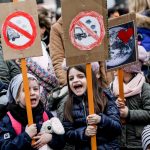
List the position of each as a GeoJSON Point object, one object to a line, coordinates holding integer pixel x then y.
{"type": "Point", "coordinates": [108, 130]}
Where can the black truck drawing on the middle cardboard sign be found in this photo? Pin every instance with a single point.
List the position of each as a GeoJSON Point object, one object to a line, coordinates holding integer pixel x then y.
{"type": "Point", "coordinates": [79, 34]}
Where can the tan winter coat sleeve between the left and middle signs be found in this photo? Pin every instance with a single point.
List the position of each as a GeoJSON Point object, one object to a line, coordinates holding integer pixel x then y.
{"type": "Point", "coordinates": [57, 51]}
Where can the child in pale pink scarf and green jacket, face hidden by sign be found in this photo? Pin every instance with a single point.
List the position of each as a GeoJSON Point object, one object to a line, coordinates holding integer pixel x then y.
{"type": "Point", "coordinates": [137, 103]}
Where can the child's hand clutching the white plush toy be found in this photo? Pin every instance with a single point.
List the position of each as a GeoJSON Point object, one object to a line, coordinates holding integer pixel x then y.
{"type": "Point", "coordinates": [42, 139]}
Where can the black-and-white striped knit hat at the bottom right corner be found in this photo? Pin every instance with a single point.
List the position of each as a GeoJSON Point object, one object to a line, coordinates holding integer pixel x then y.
{"type": "Point", "coordinates": [146, 137]}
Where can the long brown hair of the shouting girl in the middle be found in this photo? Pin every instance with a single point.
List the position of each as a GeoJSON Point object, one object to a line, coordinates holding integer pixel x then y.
{"type": "Point", "coordinates": [99, 99]}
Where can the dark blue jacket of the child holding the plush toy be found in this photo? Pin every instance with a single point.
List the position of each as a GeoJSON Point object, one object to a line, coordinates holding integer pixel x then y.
{"type": "Point", "coordinates": [10, 141]}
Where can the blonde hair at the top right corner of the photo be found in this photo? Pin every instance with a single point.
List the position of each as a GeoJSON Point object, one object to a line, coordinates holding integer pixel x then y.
{"type": "Point", "coordinates": [138, 5]}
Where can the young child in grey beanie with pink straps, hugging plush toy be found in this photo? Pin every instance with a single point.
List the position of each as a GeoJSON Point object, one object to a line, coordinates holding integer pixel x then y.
{"type": "Point", "coordinates": [10, 137]}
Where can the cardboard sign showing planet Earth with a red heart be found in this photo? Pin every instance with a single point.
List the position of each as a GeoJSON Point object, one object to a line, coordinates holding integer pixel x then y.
{"type": "Point", "coordinates": [123, 43]}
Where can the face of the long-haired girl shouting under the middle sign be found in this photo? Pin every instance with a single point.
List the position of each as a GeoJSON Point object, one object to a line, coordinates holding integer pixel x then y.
{"type": "Point", "coordinates": [77, 82]}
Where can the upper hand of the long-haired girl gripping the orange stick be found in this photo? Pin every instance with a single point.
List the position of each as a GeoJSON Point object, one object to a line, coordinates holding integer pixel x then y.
{"type": "Point", "coordinates": [93, 119]}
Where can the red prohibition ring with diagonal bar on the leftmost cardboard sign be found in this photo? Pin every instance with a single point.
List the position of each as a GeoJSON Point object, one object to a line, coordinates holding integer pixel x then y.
{"type": "Point", "coordinates": [8, 23]}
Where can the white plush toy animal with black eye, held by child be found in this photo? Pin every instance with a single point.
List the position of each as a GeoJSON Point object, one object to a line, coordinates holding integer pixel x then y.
{"type": "Point", "coordinates": [52, 126]}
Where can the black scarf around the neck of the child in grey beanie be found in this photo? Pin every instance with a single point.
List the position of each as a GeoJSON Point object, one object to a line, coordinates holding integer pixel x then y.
{"type": "Point", "coordinates": [20, 113]}
